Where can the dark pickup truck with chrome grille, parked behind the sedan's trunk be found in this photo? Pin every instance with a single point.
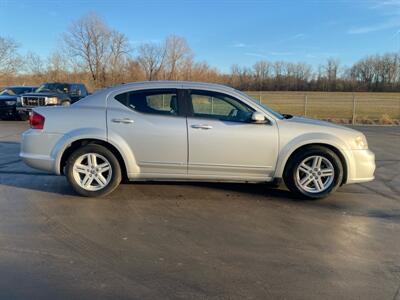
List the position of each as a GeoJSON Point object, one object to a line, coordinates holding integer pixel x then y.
{"type": "Point", "coordinates": [50, 94]}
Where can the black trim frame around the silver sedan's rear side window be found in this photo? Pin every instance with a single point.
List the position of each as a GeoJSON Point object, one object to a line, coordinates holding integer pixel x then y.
{"type": "Point", "coordinates": [182, 107]}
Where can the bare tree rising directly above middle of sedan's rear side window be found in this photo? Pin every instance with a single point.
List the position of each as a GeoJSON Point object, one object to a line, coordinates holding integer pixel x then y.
{"type": "Point", "coordinates": [152, 58]}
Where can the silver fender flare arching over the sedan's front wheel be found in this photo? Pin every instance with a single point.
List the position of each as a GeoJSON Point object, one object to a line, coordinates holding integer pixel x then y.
{"type": "Point", "coordinates": [308, 139]}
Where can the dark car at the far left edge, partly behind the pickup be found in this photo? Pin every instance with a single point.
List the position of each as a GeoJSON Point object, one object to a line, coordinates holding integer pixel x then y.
{"type": "Point", "coordinates": [8, 100]}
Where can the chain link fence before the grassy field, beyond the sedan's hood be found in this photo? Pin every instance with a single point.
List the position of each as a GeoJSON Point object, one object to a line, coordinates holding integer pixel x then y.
{"type": "Point", "coordinates": [340, 107]}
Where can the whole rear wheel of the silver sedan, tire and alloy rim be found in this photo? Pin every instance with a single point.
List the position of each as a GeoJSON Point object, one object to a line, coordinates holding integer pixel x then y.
{"type": "Point", "coordinates": [93, 171]}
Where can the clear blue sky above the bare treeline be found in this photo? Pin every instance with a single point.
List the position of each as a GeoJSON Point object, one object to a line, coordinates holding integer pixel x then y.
{"type": "Point", "coordinates": [221, 32]}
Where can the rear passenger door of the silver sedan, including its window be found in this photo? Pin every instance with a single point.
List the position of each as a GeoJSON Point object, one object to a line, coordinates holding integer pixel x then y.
{"type": "Point", "coordinates": [154, 126]}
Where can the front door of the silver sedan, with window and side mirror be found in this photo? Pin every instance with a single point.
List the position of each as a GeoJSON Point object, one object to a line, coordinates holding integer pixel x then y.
{"type": "Point", "coordinates": [224, 143]}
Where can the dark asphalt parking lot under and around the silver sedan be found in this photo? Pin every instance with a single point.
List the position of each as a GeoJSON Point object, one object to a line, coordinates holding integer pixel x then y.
{"type": "Point", "coordinates": [198, 241]}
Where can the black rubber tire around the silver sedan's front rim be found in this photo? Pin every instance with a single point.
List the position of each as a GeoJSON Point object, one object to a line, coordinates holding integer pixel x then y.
{"type": "Point", "coordinates": [289, 175]}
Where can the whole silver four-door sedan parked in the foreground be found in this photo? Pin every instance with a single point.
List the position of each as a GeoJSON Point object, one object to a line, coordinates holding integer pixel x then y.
{"type": "Point", "coordinates": [191, 131]}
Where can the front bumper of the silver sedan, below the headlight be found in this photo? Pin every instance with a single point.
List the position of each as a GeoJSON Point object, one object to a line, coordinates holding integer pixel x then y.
{"type": "Point", "coordinates": [361, 167]}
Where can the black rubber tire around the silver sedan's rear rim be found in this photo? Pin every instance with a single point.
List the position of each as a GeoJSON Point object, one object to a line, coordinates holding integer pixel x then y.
{"type": "Point", "coordinates": [116, 175]}
